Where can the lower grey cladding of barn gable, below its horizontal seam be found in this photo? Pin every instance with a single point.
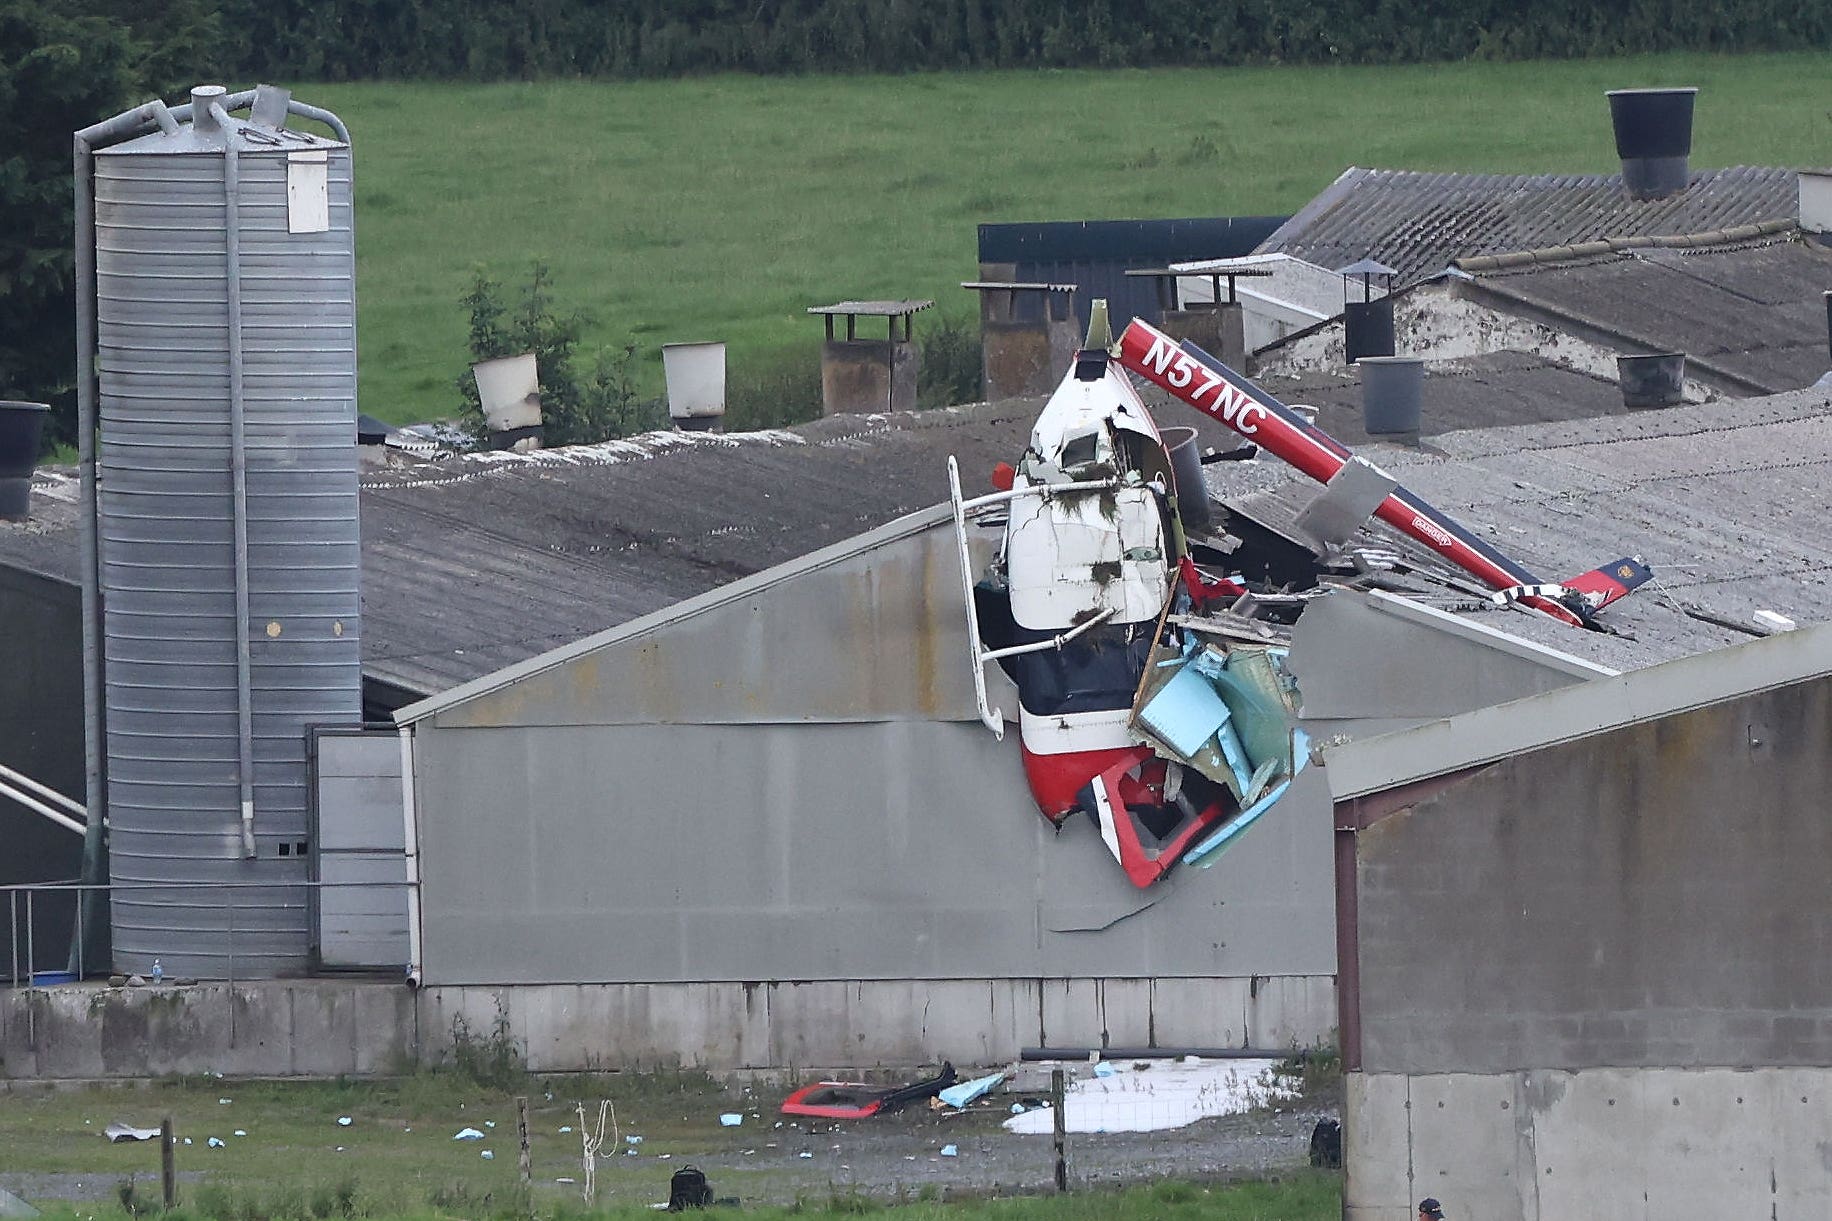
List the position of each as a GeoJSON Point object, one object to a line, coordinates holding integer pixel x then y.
{"type": "Point", "coordinates": [895, 850]}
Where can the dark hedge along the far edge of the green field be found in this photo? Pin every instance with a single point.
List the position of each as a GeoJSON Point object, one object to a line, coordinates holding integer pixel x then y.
{"type": "Point", "coordinates": [490, 39]}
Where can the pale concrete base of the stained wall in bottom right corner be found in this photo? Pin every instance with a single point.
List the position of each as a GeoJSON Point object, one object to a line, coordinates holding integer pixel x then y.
{"type": "Point", "coordinates": [1642, 1145]}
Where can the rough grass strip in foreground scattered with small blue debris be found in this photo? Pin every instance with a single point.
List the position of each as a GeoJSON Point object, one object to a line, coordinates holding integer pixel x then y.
{"type": "Point", "coordinates": [397, 1158]}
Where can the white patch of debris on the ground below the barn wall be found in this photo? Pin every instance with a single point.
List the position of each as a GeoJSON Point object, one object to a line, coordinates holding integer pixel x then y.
{"type": "Point", "coordinates": [1155, 1095]}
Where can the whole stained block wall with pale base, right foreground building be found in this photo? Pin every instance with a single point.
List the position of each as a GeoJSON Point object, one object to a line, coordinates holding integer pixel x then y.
{"type": "Point", "coordinates": [1613, 951]}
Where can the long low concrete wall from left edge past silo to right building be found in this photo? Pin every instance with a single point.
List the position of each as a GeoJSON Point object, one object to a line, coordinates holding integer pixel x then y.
{"type": "Point", "coordinates": [327, 1028]}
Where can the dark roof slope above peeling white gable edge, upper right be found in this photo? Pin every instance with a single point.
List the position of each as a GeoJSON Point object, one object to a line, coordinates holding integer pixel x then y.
{"type": "Point", "coordinates": [1749, 316]}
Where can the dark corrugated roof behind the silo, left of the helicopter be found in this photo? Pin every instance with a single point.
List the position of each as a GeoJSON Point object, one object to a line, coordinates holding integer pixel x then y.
{"type": "Point", "coordinates": [479, 562]}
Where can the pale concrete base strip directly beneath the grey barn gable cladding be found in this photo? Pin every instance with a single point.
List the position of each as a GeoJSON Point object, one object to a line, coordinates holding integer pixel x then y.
{"type": "Point", "coordinates": [867, 1024]}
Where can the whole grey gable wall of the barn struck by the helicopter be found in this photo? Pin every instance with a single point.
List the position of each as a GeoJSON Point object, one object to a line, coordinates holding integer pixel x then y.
{"type": "Point", "coordinates": [787, 782]}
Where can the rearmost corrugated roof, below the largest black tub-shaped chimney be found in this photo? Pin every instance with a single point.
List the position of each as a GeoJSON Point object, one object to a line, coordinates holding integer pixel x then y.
{"type": "Point", "coordinates": [1421, 223]}
